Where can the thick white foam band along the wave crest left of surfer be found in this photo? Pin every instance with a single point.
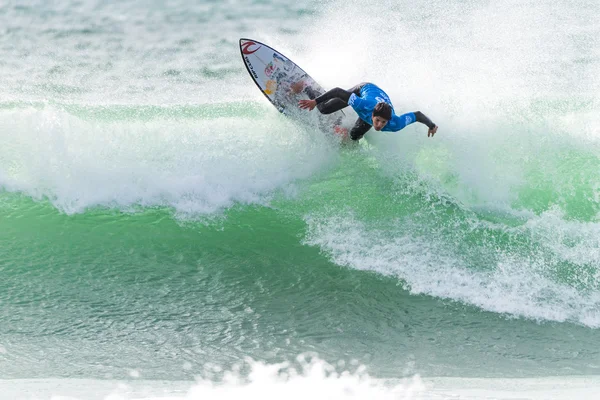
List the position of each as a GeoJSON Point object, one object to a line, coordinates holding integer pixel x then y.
{"type": "Point", "coordinates": [195, 166]}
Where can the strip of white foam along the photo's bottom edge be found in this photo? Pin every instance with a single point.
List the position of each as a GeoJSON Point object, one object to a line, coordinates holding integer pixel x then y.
{"type": "Point", "coordinates": [316, 380]}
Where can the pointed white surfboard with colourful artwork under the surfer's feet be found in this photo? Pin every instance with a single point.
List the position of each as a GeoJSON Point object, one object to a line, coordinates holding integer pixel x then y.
{"type": "Point", "coordinates": [284, 83]}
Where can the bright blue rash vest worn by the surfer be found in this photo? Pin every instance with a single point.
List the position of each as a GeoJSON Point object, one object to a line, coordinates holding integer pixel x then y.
{"type": "Point", "coordinates": [370, 95]}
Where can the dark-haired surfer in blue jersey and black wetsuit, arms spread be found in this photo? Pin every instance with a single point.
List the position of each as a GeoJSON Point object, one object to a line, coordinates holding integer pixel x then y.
{"type": "Point", "coordinates": [373, 106]}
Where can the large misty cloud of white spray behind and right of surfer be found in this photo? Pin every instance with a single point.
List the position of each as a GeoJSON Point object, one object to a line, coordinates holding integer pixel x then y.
{"type": "Point", "coordinates": [507, 96]}
